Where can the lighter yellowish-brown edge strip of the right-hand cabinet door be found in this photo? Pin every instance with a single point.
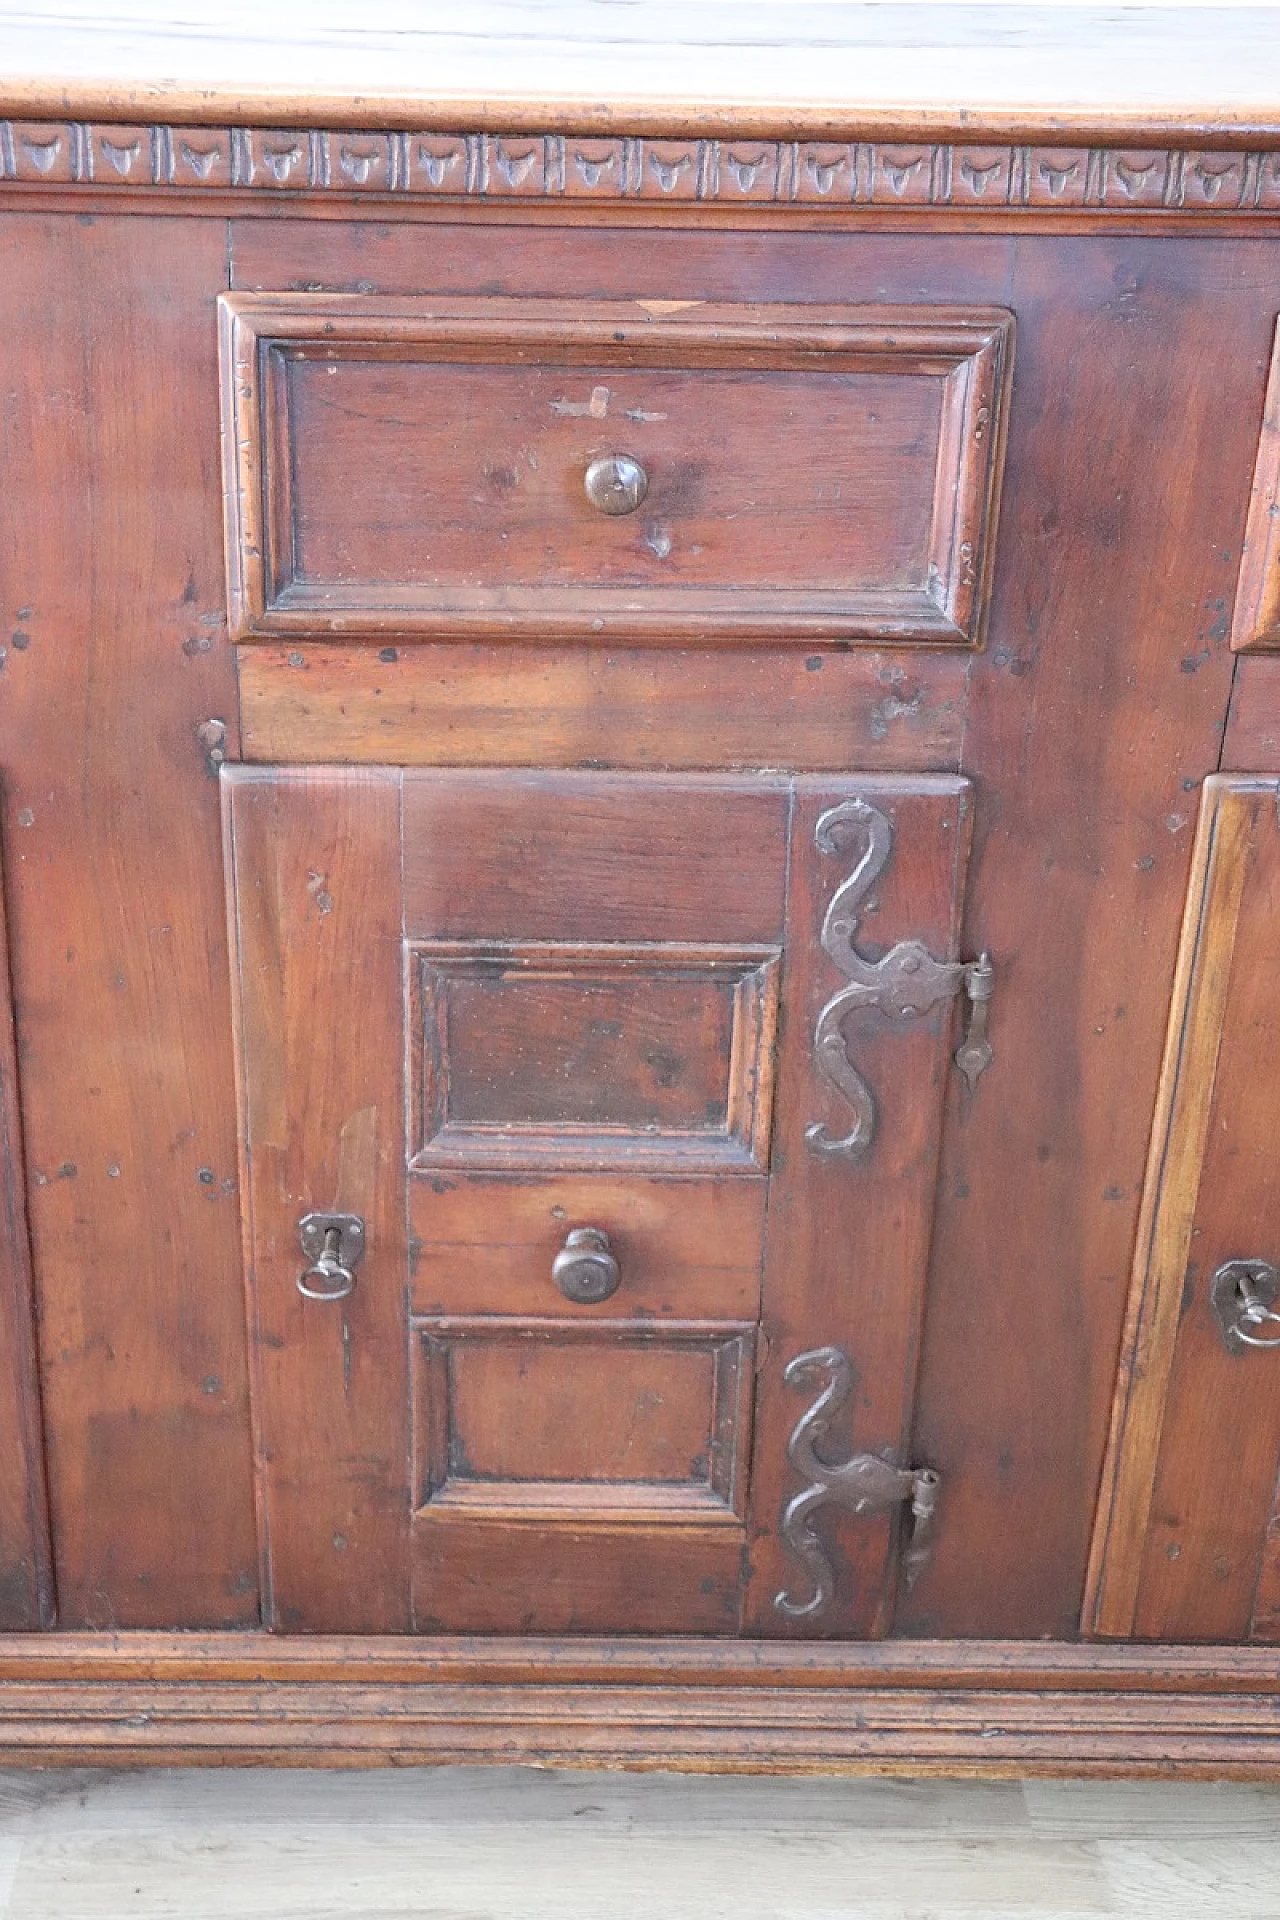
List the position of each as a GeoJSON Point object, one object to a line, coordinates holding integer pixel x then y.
{"type": "Point", "coordinates": [1233, 813]}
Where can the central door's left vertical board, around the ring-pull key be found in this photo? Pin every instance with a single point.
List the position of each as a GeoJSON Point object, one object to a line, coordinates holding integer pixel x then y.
{"type": "Point", "coordinates": [314, 873]}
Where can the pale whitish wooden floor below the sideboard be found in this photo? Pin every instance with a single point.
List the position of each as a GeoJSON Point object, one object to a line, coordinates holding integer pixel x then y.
{"type": "Point", "coordinates": [523, 1846]}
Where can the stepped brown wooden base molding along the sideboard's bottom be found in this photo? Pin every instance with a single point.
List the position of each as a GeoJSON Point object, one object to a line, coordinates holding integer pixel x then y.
{"type": "Point", "coordinates": [937, 1708]}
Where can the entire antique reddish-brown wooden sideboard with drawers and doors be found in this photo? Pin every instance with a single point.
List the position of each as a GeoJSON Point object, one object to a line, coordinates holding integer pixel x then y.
{"type": "Point", "coordinates": [640, 1042]}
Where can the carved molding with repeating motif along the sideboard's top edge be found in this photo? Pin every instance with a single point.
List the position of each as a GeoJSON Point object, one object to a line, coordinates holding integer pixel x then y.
{"type": "Point", "coordinates": [625, 168]}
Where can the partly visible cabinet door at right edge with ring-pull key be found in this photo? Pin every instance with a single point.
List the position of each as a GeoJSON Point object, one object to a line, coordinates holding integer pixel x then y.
{"type": "Point", "coordinates": [1189, 1531]}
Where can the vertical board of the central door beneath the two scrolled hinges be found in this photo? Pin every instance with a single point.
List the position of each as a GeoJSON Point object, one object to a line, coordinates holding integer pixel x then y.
{"type": "Point", "coordinates": [847, 1236]}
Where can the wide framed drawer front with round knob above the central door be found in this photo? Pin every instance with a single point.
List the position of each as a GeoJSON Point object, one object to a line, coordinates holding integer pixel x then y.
{"type": "Point", "coordinates": [414, 468]}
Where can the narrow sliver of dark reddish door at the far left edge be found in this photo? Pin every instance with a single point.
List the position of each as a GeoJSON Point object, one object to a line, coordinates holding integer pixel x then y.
{"type": "Point", "coordinates": [26, 1554]}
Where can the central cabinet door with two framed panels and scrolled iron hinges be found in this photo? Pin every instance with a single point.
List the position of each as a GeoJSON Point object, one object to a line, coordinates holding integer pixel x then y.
{"type": "Point", "coordinates": [590, 1134]}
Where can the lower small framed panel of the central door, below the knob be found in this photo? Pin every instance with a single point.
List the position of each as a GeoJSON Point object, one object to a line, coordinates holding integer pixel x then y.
{"type": "Point", "coordinates": [605, 1424]}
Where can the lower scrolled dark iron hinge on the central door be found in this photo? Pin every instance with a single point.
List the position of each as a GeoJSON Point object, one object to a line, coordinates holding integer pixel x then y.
{"type": "Point", "coordinates": [866, 1483]}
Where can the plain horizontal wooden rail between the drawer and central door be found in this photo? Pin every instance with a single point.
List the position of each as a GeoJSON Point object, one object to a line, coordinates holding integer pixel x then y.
{"type": "Point", "coordinates": [494, 706]}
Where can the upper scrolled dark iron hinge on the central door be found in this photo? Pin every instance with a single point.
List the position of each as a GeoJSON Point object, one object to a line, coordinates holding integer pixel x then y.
{"type": "Point", "coordinates": [905, 984]}
